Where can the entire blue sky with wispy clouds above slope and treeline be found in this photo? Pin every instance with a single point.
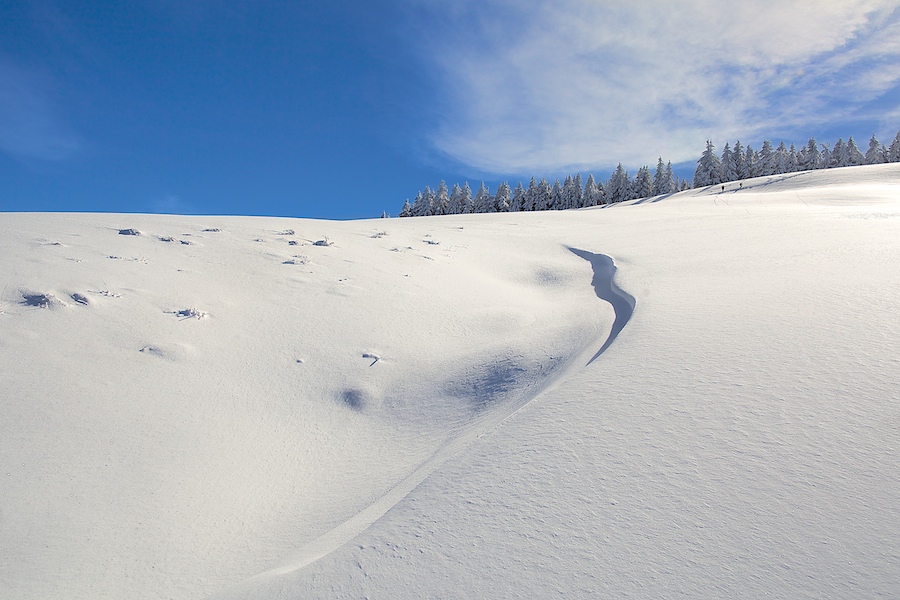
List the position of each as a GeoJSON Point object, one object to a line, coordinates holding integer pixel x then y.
{"type": "Point", "coordinates": [344, 109]}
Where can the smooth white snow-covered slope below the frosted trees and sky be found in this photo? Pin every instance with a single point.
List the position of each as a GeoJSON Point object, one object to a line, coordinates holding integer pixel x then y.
{"type": "Point", "coordinates": [416, 408]}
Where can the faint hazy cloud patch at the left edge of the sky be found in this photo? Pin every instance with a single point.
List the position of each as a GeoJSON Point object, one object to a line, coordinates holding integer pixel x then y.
{"type": "Point", "coordinates": [30, 124]}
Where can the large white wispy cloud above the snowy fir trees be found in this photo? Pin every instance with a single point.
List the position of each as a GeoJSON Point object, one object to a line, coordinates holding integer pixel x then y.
{"type": "Point", "coordinates": [530, 85]}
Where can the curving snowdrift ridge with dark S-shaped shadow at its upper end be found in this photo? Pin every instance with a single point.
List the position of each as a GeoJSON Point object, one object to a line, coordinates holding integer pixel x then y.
{"type": "Point", "coordinates": [606, 289]}
